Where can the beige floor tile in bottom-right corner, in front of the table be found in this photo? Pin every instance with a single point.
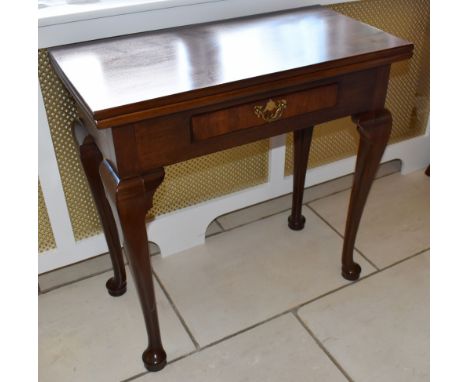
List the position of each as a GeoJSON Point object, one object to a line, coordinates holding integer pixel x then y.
{"type": "Point", "coordinates": [378, 329]}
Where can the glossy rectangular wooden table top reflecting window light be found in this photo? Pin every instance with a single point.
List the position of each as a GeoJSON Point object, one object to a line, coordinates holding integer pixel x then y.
{"type": "Point", "coordinates": [122, 75]}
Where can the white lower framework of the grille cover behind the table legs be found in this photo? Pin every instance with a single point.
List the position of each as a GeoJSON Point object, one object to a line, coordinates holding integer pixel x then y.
{"type": "Point", "coordinates": [185, 228]}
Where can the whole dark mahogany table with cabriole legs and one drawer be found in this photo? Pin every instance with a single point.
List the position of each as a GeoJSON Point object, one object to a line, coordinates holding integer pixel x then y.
{"type": "Point", "coordinates": [153, 99]}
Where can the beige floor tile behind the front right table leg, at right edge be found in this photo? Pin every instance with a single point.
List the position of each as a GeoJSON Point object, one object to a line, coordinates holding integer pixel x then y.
{"type": "Point", "coordinates": [395, 223]}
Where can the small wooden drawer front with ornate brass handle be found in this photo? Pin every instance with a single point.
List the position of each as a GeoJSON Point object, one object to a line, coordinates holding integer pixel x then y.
{"type": "Point", "coordinates": [209, 125]}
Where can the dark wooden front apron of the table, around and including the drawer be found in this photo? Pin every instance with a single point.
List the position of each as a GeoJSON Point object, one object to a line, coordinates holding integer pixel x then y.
{"type": "Point", "coordinates": [143, 146]}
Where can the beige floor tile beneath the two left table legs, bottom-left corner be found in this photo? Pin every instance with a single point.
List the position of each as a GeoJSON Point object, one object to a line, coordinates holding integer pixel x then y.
{"type": "Point", "coordinates": [87, 335]}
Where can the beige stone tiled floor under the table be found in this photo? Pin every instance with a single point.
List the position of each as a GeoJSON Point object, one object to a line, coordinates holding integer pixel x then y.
{"type": "Point", "coordinates": [260, 302]}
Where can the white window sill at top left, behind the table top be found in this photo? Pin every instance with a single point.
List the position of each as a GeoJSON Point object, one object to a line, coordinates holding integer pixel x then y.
{"type": "Point", "coordinates": [87, 20]}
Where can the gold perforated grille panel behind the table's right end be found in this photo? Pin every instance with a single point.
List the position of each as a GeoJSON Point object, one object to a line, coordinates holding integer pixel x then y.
{"type": "Point", "coordinates": [408, 91]}
